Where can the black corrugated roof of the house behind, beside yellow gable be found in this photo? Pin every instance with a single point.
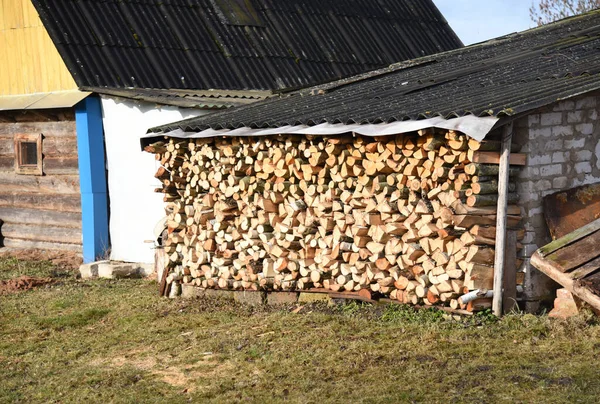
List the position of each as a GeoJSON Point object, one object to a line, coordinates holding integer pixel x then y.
{"type": "Point", "coordinates": [238, 44]}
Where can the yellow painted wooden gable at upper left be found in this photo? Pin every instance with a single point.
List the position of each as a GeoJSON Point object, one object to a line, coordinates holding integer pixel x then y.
{"type": "Point", "coordinates": [29, 61]}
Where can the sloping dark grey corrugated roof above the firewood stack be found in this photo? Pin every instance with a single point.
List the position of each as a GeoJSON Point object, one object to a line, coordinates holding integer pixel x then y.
{"type": "Point", "coordinates": [502, 77]}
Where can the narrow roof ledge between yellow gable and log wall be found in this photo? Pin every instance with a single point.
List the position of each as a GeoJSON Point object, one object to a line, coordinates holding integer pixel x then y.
{"type": "Point", "coordinates": [49, 100]}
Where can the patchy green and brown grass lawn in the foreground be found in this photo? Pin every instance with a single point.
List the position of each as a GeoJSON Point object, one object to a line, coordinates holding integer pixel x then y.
{"type": "Point", "coordinates": [116, 341]}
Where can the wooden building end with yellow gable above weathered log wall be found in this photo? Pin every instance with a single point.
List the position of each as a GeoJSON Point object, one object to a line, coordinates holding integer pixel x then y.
{"type": "Point", "coordinates": [40, 198]}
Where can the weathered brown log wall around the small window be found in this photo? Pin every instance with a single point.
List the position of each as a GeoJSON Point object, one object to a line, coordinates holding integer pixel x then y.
{"type": "Point", "coordinates": [40, 211]}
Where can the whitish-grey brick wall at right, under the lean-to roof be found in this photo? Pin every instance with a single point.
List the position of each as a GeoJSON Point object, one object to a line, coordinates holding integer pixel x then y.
{"type": "Point", "coordinates": [563, 146]}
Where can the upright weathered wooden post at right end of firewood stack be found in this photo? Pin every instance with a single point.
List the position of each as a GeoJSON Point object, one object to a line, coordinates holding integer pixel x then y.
{"type": "Point", "coordinates": [501, 219]}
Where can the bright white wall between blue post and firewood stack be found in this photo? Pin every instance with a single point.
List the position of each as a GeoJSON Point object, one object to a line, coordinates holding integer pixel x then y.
{"type": "Point", "coordinates": [135, 208]}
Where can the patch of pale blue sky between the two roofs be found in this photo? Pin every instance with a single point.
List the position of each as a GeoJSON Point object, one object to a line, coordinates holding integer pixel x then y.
{"type": "Point", "coordinates": [478, 20]}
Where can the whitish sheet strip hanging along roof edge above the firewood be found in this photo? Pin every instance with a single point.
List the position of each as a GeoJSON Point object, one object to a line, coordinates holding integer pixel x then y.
{"type": "Point", "coordinates": [472, 126]}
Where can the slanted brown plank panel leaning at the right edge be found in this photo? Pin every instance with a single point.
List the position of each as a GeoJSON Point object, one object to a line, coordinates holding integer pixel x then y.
{"type": "Point", "coordinates": [574, 261]}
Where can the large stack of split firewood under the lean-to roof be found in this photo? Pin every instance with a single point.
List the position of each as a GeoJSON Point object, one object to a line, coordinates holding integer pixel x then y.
{"type": "Point", "coordinates": [410, 217]}
